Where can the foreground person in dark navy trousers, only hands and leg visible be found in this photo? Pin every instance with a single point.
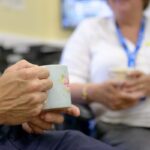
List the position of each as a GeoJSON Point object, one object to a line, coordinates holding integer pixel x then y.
{"type": "Point", "coordinates": [23, 124]}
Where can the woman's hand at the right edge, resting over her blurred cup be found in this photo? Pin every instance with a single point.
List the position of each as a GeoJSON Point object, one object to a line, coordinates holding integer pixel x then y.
{"type": "Point", "coordinates": [138, 82]}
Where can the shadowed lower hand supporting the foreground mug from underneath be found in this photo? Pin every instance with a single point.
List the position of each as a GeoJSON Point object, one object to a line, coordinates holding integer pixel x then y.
{"type": "Point", "coordinates": [46, 120]}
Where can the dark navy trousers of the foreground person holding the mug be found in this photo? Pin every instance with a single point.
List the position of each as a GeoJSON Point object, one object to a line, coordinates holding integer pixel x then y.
{"type": "Point", "coordinates": [14, 138]}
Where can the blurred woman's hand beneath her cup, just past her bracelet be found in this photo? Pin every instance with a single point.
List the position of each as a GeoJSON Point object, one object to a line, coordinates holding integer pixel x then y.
{"type": "Point", "coordinates": [111, 95]}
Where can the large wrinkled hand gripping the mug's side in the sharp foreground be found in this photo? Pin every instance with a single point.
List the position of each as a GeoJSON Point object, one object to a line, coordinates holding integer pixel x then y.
{"type": "Point", "coordinates": [23, 89]}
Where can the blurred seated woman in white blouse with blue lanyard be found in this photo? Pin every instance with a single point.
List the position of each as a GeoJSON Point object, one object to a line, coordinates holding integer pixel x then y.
{"type": "Point", "coordinates": [101, 44]}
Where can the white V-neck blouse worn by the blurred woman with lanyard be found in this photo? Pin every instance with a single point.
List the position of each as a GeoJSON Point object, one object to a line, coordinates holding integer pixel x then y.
{"type": "Point", "coordinates": [93, 50]}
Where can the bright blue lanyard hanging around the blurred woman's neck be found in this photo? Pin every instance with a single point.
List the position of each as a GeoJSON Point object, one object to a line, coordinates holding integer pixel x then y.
{"type": "Point", "coordinates": [132, 55]}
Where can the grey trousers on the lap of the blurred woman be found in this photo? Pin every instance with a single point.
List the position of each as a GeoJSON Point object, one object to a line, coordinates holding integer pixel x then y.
{"type": "Point", "coordinates": [125, 137]}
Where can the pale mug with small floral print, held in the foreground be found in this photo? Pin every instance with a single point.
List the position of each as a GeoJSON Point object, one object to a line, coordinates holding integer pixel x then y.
{"type": "Point", "coordinates": [59, 95]}
